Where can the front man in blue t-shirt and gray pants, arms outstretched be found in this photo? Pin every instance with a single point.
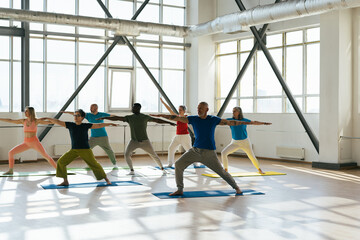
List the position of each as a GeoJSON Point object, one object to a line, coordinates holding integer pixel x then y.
{"type": "Point", "coordinates": [204, 146]}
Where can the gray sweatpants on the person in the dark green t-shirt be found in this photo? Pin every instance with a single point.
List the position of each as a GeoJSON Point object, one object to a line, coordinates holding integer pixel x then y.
{"type": "Point", "coordinates": [144, 145]}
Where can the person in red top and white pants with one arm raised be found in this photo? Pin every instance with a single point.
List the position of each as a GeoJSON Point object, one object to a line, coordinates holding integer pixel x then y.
{"type": "Point", "coordinates": [182, 136]}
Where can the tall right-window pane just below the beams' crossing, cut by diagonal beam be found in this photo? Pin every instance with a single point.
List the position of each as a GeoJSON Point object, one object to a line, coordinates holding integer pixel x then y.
{"type": "Point", "coordinates": [267, 82]}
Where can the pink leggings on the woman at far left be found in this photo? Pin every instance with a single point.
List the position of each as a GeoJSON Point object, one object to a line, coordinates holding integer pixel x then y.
{"type": "Point", "coordinates": [30, 143]}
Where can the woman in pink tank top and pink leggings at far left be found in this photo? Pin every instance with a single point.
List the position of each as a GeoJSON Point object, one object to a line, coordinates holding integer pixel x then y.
{"type": "Point", "coordinates": [30, 139]}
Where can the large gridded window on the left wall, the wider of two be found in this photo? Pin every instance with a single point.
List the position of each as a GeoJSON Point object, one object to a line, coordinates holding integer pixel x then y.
{"type": "Point", "coordinates": [61, 57]}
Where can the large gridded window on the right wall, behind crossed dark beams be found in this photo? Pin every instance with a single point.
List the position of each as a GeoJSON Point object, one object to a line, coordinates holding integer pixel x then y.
{"type": "Point", "coordinates": [297, 56]}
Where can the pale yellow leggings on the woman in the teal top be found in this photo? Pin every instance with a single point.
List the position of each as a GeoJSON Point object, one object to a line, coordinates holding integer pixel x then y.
{"type": "Point", "coordinates": [235, 145]}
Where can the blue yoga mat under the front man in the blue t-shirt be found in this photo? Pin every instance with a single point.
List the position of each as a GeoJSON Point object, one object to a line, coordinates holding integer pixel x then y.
{"type": "Point", "coordinates": [208, 193]}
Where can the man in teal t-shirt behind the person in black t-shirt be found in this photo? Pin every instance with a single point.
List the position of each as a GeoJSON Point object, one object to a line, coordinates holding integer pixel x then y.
{"type": "Point", "coordinates": [99, 136]}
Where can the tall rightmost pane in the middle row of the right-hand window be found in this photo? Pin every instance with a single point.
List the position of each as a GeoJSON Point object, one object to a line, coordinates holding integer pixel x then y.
{"type": "Point", "coordinates": [313, 69]}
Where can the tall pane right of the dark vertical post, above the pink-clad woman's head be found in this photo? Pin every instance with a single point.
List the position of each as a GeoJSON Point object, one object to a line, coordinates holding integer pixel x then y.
{"type": "Point", "coordinates": [37, 86]}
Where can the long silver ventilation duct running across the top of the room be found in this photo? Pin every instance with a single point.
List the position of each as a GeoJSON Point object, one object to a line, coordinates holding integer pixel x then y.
{"type": "Point", "coordinates": [235, 22]}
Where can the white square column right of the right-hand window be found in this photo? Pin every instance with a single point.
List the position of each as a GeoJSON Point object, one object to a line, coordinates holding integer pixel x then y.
{"type": "Point", "coordinates": [335, 86]}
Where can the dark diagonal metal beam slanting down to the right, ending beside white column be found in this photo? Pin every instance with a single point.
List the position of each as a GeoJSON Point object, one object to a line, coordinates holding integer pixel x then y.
{"type": "Point", "coordinates": [287, 91]}
